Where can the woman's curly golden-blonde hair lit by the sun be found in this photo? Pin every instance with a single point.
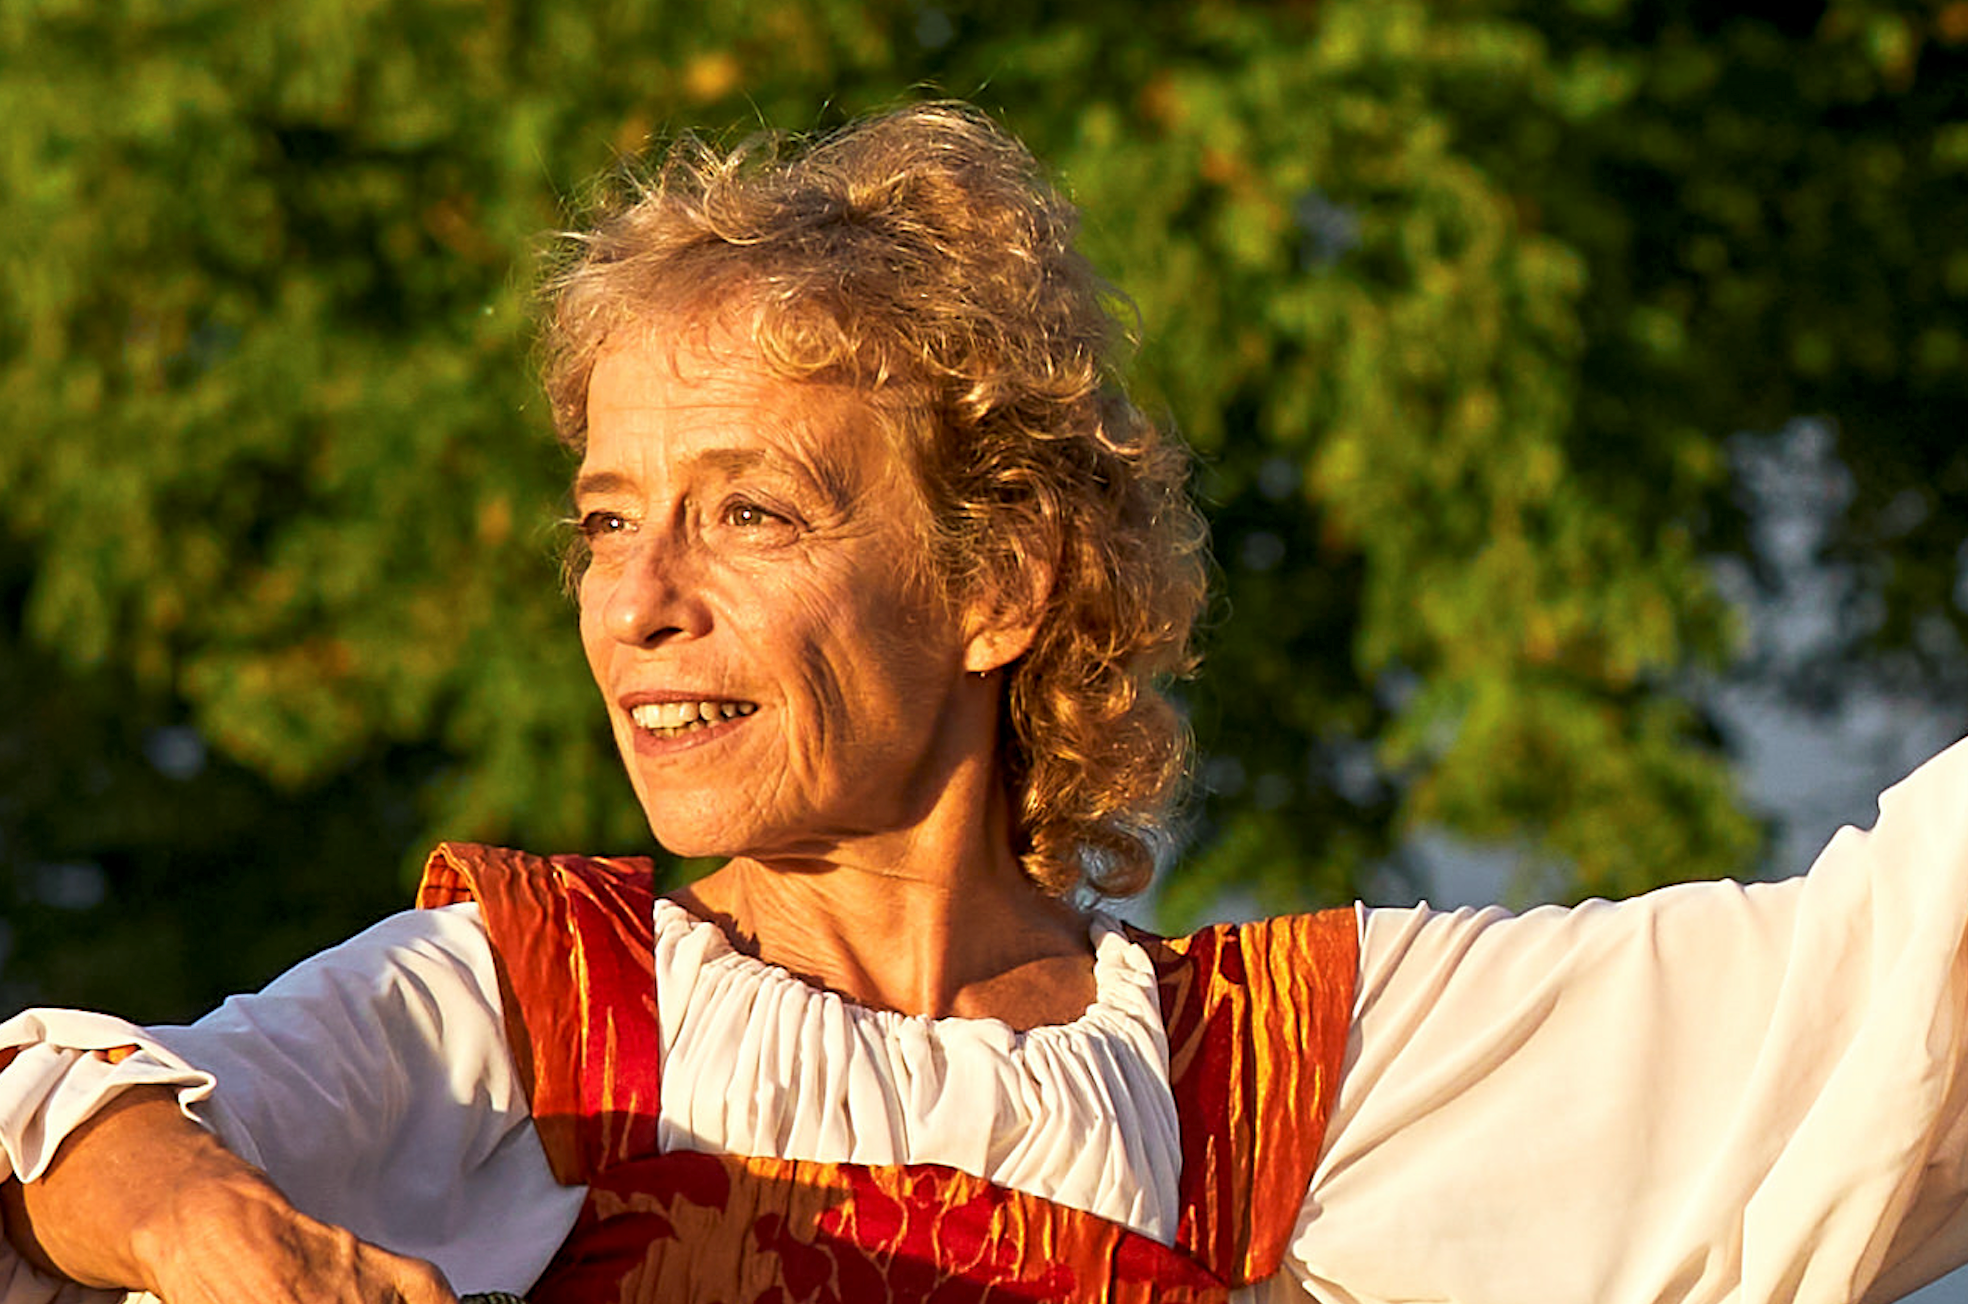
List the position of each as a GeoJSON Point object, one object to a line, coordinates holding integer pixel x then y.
{"type": "Point", "coordinates": [924, 259]}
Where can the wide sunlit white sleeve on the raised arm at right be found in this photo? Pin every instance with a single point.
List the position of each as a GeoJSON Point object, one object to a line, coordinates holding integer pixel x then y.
{"type": "Point", "coordinates": [1711, 1093]}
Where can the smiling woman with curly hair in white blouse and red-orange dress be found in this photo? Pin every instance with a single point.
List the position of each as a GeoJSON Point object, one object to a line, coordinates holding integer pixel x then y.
{"type": "Point", "coordinates": [877, 573]}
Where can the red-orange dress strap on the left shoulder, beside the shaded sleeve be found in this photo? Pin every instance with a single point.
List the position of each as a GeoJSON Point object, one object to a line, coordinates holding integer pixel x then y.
{"type": "Point", "coordinates": [574, 941]}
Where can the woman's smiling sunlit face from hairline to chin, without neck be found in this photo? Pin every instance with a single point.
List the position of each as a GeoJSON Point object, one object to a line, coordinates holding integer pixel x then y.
{"type": "Point", "coordinates": [776, 680]}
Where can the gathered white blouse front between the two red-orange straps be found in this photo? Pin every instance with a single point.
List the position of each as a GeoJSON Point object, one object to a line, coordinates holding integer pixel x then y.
{"type": "Point", "coordinates": [763, 1063]}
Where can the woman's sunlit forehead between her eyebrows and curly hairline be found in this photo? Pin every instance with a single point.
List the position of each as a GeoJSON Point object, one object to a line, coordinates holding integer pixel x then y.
{"type": "Point", "coordinates": [709, 398]}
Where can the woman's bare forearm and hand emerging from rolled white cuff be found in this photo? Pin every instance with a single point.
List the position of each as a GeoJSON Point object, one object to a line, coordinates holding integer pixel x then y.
{"type": "Point", "coordinates": [141, 1197]}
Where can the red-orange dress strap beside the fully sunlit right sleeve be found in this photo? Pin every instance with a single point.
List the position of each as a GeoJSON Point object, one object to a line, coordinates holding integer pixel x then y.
{"type": "Point", "coordinates": [1257, 1018]}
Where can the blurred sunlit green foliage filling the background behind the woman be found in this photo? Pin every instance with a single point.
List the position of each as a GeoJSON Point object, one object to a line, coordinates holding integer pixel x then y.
{"type": "Point", "coordinates": [1457, 304]}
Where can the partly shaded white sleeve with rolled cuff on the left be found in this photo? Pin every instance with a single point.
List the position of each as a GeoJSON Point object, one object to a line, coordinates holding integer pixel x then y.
{"type": "Point", "coordinates": [371, 1083]}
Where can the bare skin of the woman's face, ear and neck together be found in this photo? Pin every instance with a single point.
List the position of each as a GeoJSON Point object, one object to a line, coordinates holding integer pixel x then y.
{"type": "Point", "coordinates": [757, 562]}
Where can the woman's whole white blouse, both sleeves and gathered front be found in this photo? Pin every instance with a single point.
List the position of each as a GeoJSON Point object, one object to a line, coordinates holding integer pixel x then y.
{"type": "Point", "coordinates": [1711, 1093]}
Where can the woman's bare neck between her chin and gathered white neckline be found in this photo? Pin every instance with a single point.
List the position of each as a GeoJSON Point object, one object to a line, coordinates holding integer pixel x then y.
{"type": "Point", "coordinates": [936, 921]}
